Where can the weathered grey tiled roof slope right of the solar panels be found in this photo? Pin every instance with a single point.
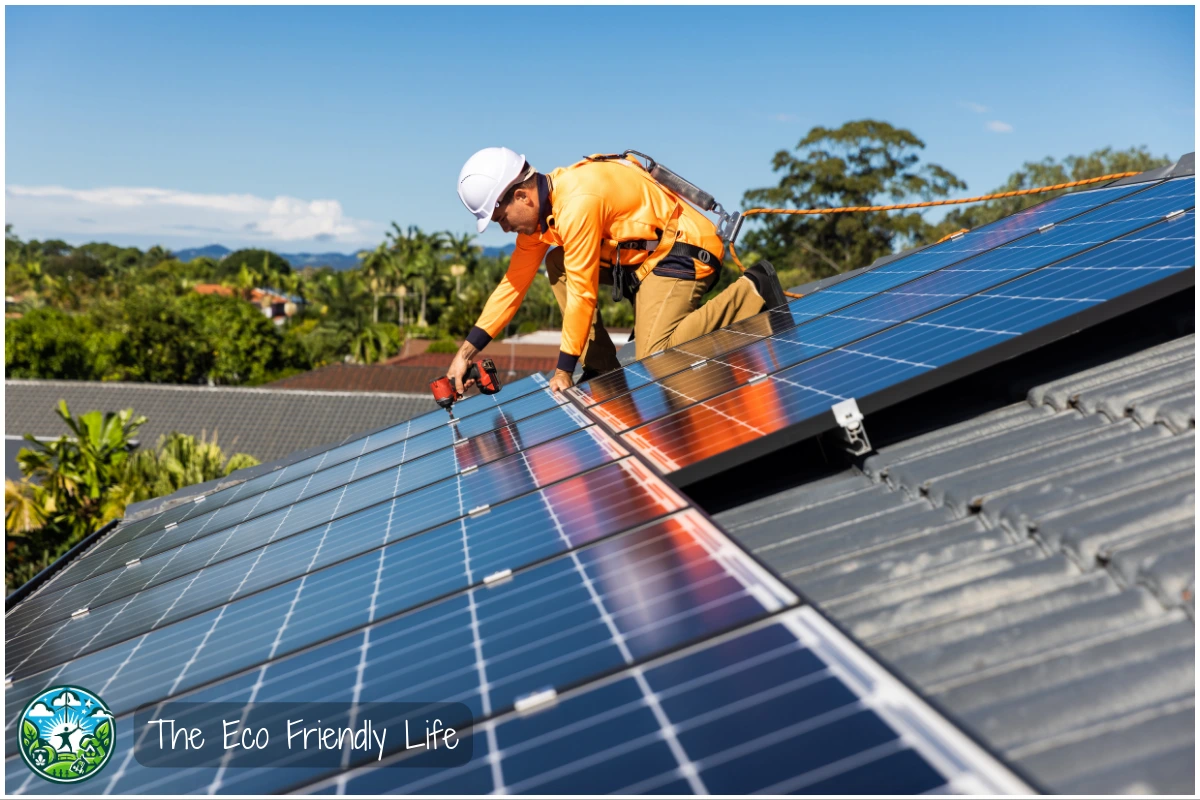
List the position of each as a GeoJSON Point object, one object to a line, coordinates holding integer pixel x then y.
{"type": "Point", "coordinates": [1031, 569]}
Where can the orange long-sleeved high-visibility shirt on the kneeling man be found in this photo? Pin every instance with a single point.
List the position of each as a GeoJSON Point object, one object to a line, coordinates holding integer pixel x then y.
{"type": "Point", "coordinates": [595, 204]}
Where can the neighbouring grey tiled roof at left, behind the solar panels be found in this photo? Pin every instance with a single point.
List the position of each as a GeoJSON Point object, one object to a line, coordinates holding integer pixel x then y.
{"type": "Point", "coordinates": [267, 424]}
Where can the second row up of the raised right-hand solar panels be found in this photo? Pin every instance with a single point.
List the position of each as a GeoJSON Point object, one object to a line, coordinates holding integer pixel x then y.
{"type": "Point", "coordinates": [827, 332]}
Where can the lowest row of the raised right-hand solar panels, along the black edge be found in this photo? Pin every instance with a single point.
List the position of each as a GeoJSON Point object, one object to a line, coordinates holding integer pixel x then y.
{"type": "Point", "coordinates": [910, 357]}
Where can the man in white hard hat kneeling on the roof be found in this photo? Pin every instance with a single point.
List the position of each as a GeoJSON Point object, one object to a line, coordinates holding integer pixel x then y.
{"type": "Point", "coordinates": [609, 222]}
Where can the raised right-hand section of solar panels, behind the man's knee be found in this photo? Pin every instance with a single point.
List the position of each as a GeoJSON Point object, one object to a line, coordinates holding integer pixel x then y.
{"type": "Point", "coordinates": [723, 399]}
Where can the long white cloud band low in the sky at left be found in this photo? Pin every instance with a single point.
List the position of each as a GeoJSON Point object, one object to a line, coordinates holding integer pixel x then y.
{"type": "Point", "coordinates": [167, 213]}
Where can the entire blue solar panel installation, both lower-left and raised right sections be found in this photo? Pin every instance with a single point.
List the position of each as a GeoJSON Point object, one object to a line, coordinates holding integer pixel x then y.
{"type": "Point", "coordinates": [599, 631]}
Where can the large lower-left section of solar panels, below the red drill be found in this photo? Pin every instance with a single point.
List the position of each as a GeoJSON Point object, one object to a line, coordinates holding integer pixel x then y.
{"type": "Point", "coordinates": [485, 561]}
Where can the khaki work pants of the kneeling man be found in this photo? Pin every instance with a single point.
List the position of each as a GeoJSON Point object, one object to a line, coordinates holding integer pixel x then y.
{"type": "Point", "coordinates": [667, 314]}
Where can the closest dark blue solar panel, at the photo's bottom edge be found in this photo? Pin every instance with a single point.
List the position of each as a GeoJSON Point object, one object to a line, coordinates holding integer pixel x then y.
{"type": "Point", "coordinates": [779, 707]}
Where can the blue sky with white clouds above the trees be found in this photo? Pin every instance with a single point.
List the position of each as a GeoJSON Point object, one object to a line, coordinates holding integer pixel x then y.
{"type": "Point", "coordinates": [309, 129]}
